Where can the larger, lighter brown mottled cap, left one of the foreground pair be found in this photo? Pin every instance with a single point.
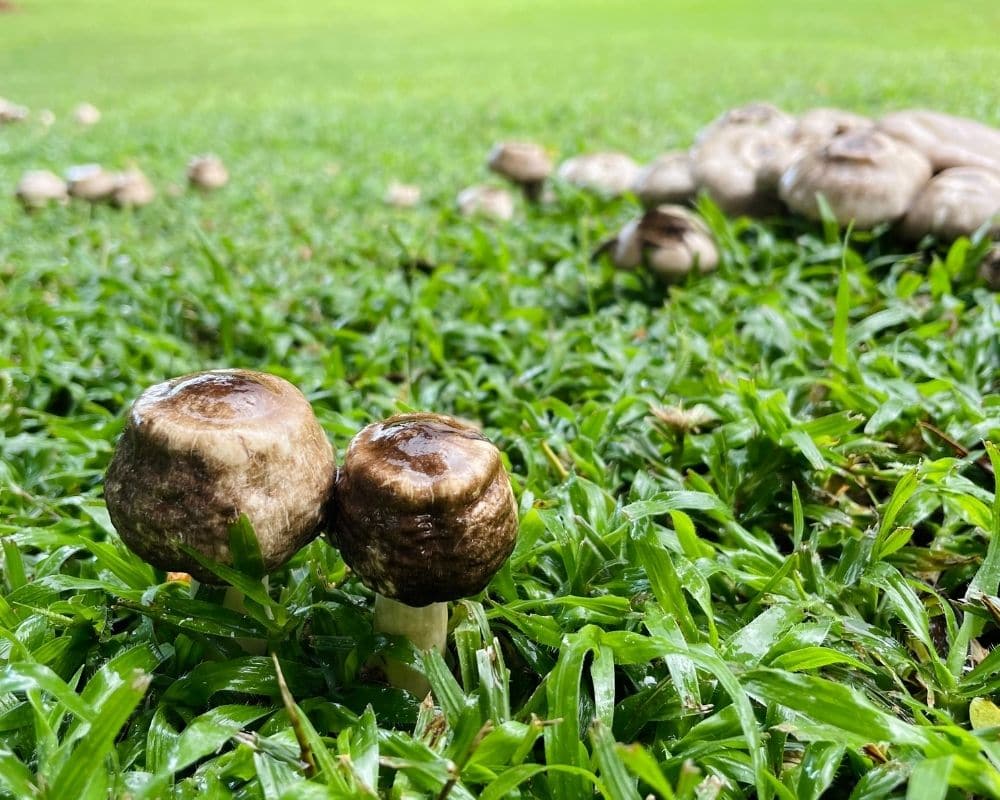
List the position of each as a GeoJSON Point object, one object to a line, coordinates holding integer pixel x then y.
{"type": "Point", "coordinates": [201, 450]}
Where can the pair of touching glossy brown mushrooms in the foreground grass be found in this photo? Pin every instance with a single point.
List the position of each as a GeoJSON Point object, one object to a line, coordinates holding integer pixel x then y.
{"type": "Point", "coordinates": [422, 508]}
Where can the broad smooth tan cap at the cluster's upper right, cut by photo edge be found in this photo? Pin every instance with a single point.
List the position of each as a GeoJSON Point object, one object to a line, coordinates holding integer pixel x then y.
{"type": "Point", "coordinates": [945, 140]}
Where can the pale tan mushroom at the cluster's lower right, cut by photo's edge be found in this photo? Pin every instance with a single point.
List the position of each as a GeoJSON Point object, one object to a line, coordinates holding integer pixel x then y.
{"type": "Point", "coordinates": [954, 203]}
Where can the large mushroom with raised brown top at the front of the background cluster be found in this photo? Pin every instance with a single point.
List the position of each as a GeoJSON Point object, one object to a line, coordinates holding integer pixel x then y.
{"type": "Point", "coordinates": [865, 176]}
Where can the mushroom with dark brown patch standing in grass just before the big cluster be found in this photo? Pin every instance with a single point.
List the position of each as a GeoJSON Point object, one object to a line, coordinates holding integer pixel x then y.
{"type": "Point", "coordinates": [671, 240]}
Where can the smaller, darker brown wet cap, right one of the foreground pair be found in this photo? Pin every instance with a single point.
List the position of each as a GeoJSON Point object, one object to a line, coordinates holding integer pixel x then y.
{"type": "Point", "coordinates": [424, 511]}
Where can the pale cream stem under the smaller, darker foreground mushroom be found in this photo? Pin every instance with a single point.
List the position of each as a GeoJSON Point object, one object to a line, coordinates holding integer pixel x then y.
{"type": "Point", "coordinates": [426, 627]}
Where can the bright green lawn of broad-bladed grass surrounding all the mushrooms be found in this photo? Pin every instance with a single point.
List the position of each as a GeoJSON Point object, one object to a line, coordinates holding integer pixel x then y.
{"type": "Point", "coordinates": [796, 599]}
